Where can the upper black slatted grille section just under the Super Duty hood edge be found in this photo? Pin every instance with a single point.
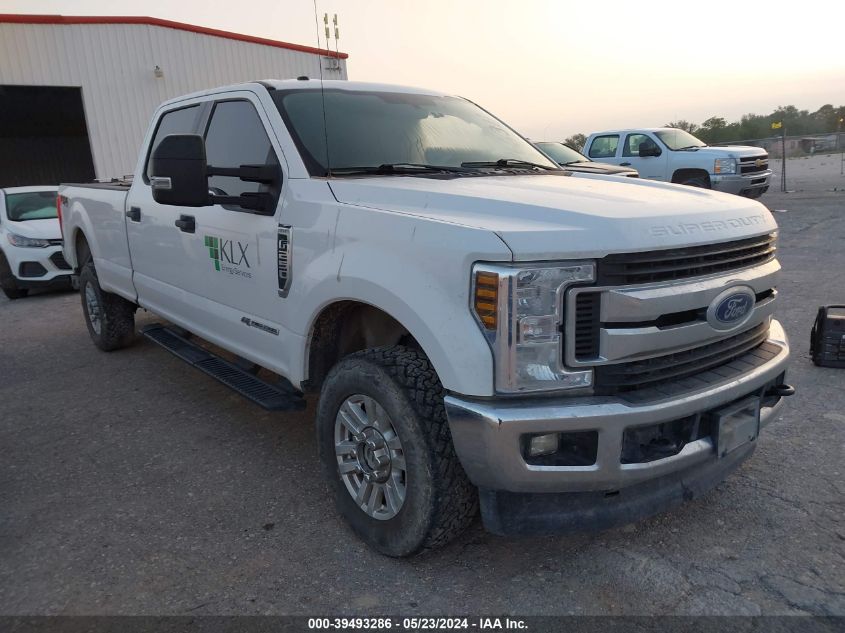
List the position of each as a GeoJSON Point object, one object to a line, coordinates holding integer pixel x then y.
{"type": "Point", "coordinates": [682, 263]}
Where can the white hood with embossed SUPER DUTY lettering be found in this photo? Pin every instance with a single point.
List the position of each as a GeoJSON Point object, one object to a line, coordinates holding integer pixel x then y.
{"type": "Point", "coordinates": [554, 216]}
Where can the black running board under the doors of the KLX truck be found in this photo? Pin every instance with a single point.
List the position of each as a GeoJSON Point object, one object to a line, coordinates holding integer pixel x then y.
{"type": "Point", "coordinates": [266, 395]}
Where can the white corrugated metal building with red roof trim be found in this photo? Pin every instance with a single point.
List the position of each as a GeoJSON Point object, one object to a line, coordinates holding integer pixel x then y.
{"type": "Point", "coordinates": [77, 92]}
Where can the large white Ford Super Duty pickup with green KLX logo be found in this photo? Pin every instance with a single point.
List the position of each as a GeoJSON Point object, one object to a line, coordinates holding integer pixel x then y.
{"type": "Point", "coordinates": [481, 327]}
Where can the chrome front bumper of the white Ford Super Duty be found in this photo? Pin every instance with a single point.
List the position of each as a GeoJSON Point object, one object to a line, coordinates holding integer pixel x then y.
{"type": "Point", "coordinates": [487, 433]}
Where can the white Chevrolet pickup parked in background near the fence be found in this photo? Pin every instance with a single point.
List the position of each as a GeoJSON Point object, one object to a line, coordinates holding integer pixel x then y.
{"type": "Point", "coordinates": [674, 155]}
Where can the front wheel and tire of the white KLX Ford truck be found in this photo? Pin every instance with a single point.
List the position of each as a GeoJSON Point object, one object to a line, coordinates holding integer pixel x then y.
{"type": "Point", "coordinates": [386, 448]}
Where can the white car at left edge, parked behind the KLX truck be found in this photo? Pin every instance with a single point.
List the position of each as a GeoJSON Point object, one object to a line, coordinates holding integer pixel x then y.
{"type": "Point", "coordinates": [30, 241]}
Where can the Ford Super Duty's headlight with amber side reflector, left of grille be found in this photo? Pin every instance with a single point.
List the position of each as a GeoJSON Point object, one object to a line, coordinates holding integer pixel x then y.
{"type": "Point", "coordinates": [520, 311]}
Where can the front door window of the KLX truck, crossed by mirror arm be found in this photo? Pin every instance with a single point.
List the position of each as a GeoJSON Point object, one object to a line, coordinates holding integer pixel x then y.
{"type": "Point", "coordinates": [235, 137]}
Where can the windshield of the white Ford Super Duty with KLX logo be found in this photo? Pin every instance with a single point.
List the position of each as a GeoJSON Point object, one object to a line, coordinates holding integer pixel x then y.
{"type": "Point", "coordinates": [372, 129]}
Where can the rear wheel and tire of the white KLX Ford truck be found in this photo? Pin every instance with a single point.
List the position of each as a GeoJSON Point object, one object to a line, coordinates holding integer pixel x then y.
{"type": "Point", "coordinates": [110, 318]}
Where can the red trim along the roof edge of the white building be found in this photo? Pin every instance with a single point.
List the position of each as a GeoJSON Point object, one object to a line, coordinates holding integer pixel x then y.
{"type": "Point", "coordinates": [15, 18]}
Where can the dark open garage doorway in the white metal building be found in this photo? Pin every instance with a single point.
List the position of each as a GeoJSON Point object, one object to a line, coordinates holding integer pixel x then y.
{"type": "Point", "coordinates": [43, 136]}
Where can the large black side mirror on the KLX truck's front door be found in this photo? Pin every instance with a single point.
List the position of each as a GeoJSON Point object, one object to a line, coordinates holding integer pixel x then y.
{"type": "Point", "coordinates": [178, 171]}
